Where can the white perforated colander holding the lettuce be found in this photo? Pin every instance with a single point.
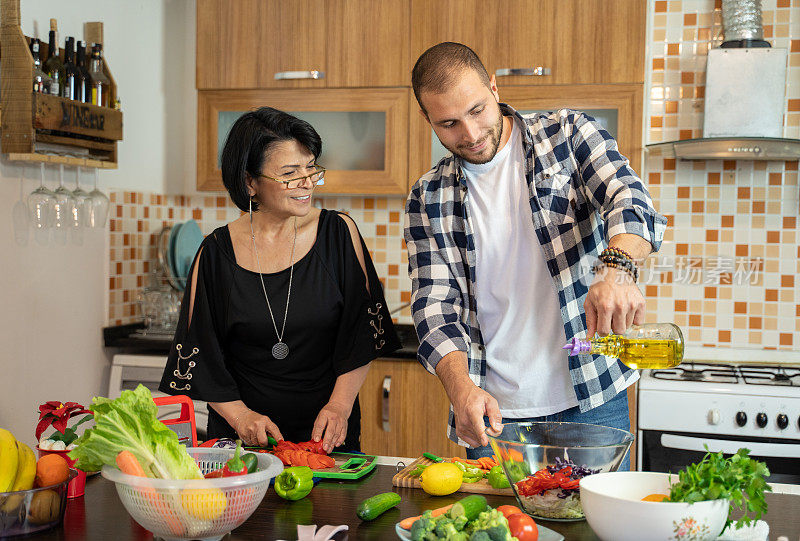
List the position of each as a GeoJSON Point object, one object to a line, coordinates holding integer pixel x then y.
{"type": "Point", "coordinates": [195, 508]}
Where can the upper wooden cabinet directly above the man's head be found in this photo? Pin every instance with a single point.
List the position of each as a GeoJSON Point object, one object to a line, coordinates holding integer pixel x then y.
{"type": "Point", "coordinates": [579, 41]}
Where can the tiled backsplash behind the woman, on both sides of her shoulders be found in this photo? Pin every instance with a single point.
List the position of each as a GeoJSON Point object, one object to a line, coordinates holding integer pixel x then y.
{"type": "Point", "coordinates": [137, 219]}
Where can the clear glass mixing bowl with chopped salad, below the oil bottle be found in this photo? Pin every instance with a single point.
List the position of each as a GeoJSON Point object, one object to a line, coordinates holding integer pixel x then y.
{"type": "Point", "coordinates": [544, 462]}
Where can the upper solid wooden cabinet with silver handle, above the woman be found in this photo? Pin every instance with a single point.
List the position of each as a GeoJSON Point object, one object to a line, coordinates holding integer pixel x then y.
{"type": "Point", "coordinates": [354, 43]}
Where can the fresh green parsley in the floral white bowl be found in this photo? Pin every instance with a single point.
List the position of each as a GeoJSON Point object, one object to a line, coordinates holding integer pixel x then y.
{"type": "Point", "coordinates": [739, 479]}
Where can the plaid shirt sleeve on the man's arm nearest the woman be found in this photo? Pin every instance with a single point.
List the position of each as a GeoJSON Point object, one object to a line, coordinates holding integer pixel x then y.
{"type": "Point", "coordinates": [436, 301]}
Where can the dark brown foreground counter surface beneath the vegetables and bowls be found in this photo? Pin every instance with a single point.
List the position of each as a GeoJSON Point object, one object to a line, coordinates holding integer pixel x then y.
{"type": "Point", "coordinates": [99, 514]}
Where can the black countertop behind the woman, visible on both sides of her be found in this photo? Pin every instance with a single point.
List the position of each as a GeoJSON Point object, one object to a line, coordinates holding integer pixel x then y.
{"type": "Point", "coordinates": [129, 339]}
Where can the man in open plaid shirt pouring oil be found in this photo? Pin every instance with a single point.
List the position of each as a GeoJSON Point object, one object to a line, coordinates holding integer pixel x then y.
{"type": "Point", "coordinates": [496, 233]}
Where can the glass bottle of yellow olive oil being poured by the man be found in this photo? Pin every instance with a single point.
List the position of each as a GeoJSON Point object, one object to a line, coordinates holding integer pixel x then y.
{"type": "Point", "coordinates": [653, 345]}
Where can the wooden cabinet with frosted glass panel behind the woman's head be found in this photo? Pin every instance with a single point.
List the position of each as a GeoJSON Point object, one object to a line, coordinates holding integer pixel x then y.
{"type": "Point", "coordinates": [364, 134]}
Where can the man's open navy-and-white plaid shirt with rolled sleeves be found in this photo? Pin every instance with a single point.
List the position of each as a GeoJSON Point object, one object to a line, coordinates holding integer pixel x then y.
{"type": "Point", "coordinates": [582, 193]}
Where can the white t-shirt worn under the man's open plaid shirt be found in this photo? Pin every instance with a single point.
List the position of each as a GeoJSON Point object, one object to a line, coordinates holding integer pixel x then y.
{"type": "Point", "coordinates": [518, 310]}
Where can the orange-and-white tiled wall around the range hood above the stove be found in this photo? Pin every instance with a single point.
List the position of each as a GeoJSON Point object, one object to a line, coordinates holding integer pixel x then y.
{"type": "Point", "coordinates": [728, 268]}
